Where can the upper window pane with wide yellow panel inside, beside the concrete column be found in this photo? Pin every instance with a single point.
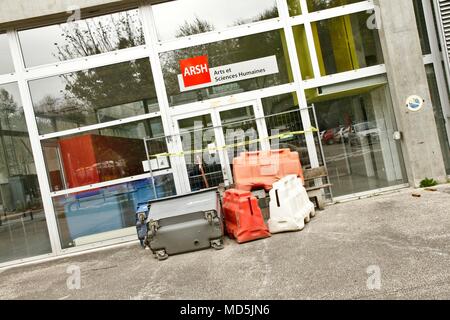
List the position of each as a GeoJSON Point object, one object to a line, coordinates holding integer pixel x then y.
{"type": "Point", "coordinates": [346, 43]}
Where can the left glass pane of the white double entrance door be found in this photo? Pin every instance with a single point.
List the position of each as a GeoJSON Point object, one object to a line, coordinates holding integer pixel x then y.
{"type": "Point", "coordinates": [204, 168]}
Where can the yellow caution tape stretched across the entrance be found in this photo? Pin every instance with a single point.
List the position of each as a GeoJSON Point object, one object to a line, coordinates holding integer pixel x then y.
{"type": "Point", "coordinates": [235, 145]}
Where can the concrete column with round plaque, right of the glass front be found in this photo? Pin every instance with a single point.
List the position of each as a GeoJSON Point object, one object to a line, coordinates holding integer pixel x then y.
{"type": "Point", "coordinates": [406, 74]}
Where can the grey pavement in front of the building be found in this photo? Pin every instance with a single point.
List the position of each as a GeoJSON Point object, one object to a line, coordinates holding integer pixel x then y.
{"type": "Point", "coordinates": [407, 238]}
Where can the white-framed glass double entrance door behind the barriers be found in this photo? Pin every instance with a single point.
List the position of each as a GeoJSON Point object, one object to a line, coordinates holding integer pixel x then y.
{"type": "Point", "coordinates": [210, 141]}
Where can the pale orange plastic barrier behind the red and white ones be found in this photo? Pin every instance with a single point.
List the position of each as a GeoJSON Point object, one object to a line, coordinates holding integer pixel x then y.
{"type": "Point", "coordinates": [260, 169]}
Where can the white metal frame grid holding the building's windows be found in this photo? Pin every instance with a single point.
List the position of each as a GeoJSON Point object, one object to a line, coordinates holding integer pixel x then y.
{"type": "Point", "coordinates": [151, 50]}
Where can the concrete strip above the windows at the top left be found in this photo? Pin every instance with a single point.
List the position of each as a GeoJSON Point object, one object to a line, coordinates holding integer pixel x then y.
{"type": "Point", "coordinates": [14, 13]}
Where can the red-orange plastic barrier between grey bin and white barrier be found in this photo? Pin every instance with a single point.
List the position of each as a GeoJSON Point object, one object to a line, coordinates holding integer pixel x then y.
{"type": "Point", "coordinates": [243, 218]}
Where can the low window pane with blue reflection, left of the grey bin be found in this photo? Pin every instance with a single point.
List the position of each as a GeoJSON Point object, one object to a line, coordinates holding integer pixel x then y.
{"type": "Point", "coordinates": [107, 213]}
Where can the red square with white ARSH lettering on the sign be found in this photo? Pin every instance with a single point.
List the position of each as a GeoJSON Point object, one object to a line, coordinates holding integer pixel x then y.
{"type": "Point", "coordinates": [195, 71]}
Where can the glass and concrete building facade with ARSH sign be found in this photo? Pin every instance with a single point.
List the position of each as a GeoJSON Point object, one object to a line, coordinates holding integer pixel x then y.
{"type": "Point", "coordinates": [107, 104]}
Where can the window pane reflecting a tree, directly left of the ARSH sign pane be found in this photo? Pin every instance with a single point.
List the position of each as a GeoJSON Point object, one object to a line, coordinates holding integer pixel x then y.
{"type": "Point", "coordinates": [94, 96]}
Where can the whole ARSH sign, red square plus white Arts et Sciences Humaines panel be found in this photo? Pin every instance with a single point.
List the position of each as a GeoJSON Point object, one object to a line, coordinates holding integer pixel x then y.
{"type": "Point", "coordinates": [196, 73]}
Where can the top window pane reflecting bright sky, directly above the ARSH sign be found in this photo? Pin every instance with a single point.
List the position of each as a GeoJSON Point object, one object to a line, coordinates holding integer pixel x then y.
{"type": "Point", "coordinates": [184, 18]}
